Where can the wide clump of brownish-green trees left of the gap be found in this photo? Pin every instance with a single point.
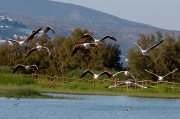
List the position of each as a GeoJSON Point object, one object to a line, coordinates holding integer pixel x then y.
{"type": "Point", "coordinates": [108, 56]}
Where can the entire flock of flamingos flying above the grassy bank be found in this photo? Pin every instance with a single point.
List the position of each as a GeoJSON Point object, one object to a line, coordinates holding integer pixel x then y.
{"type": "Point", "coordinates": [78, 47]}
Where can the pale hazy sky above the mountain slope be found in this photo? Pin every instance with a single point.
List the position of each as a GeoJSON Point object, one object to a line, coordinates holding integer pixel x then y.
{"type": "Point", "coordinates": [159, 13]}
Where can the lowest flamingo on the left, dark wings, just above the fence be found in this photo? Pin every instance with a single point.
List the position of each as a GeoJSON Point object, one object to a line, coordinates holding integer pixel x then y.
{"type": "Point", "coordinates": [26, 67]}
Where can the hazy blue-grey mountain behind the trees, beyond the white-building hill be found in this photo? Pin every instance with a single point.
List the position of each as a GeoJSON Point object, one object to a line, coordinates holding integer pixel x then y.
{"type": "Point", "coordinates": [65, 17]}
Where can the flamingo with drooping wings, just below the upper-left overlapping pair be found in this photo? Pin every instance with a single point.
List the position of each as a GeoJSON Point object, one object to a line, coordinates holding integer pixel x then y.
{"type": "Point", "coordinates": [40, 48]}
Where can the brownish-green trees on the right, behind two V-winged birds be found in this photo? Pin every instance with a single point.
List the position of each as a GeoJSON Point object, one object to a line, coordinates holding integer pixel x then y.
{"type": "Point", "coordinates": [161, 60]}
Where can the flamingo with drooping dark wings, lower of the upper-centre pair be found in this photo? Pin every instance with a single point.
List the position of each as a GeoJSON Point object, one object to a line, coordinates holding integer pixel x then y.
{"type": "Point", "coordinates": [84, 45]}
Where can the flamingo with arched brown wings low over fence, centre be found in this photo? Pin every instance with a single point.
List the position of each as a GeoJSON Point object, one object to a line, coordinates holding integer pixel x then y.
{"type": "Point", "coordinates": [96, 76]}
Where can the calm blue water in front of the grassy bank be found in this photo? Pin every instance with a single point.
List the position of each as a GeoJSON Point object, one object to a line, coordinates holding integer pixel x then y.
{"type": "Point", "coordinates": [92, 107]}
